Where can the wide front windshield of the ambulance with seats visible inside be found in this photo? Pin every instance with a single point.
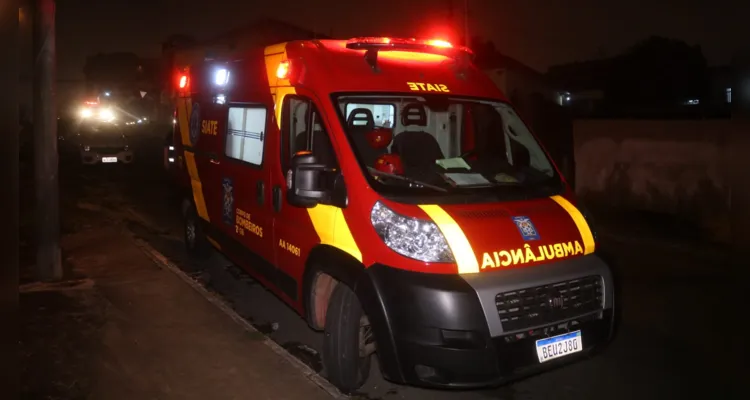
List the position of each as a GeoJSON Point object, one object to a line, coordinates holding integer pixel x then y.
{"type": "Point", "coordinates": [443, 144]}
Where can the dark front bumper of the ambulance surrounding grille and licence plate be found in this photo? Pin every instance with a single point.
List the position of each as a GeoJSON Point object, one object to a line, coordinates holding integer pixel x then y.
{"type": "Point", "coordinates": [445, 331]}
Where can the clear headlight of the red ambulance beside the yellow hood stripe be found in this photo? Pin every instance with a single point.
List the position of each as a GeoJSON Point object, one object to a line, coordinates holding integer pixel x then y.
{"type": "Point", "coordinates": [411, 237]}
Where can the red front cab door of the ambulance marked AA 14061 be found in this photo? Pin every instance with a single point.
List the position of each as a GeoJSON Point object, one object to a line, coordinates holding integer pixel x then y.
{"type": "Point", "coordinates": [302, 128]}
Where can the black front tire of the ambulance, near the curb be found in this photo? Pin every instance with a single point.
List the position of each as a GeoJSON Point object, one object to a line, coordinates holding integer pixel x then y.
{"type": "Point", "coordinates": [344, 366]}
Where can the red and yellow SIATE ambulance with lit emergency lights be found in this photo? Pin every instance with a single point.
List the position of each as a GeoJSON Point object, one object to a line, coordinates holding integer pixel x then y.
{"type": "Point", "coordinates": [387, 191]}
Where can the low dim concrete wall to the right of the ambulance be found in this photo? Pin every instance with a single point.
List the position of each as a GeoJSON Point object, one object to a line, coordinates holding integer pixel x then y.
{"type": "Point", "coordinates": [697, 170]}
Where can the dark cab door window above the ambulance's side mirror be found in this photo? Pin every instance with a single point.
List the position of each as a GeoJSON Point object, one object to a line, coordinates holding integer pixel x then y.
{"type": "Point", "coordinates": [302, 129]}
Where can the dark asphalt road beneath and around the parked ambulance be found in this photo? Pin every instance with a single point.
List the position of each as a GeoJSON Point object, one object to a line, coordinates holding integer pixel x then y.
{"type": "Point", "coordinates": [681, 335]}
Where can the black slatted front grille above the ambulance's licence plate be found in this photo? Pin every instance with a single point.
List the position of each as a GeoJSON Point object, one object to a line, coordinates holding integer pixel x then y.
{"type": "Point", "coordinates": [546, 304]}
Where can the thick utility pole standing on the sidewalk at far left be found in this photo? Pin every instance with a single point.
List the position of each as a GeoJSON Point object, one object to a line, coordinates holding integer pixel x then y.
{"type": "Point", "coordinates": [48, 263]}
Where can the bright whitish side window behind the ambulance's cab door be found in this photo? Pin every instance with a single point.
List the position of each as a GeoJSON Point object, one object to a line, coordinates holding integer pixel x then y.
{"type": "Point", "coordinates": [246, 134]}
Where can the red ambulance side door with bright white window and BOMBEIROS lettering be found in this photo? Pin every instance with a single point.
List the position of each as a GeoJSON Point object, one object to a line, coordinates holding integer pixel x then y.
{"type": "Point", "coordinates": [246, 210]}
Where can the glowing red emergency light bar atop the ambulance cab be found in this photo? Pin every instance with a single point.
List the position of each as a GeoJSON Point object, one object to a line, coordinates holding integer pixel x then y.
{"type": "Point", "coordinates": [373, 45]}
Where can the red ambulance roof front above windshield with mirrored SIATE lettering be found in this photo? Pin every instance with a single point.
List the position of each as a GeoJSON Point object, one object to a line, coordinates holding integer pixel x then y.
{"type": "Point", "coordinates": [345, 70]}
